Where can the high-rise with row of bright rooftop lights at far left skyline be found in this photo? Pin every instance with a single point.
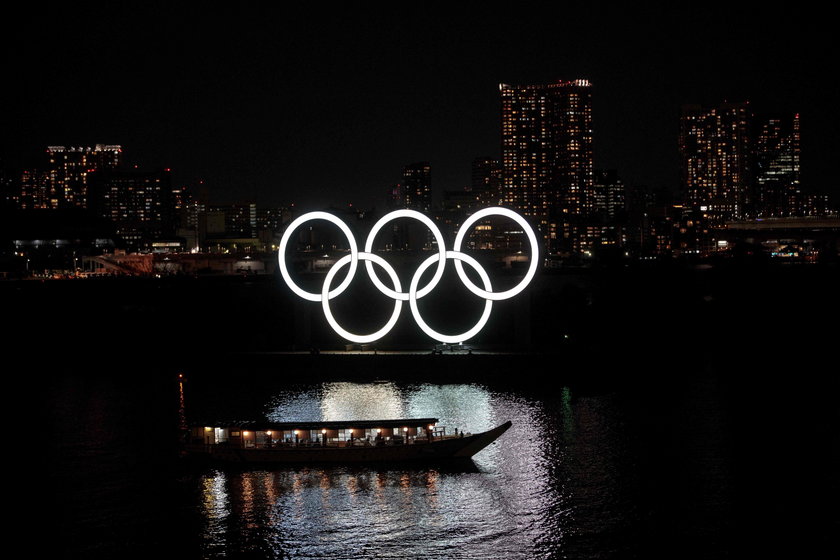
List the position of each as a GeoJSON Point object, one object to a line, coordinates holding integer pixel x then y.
{"type": "Point", "coordinates": [69, 169]}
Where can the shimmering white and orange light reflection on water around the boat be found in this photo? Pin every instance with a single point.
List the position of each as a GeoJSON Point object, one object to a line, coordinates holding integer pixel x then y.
{"type": "Point", "coordinates": [504, 505]}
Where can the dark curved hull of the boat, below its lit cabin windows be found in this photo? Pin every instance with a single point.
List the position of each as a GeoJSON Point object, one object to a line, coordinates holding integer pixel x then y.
{"type": "Point", "coordinates": [453, 448]}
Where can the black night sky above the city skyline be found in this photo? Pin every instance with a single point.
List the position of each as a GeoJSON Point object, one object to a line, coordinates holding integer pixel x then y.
{"type": "Point", "coordinates": [323, 107]}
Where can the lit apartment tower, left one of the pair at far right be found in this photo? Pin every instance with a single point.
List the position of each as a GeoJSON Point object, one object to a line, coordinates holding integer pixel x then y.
{"type": "Point", "coordinates": [715, 160]}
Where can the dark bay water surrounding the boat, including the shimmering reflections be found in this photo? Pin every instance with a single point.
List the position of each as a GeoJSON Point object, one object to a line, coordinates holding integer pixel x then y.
{"type": "Point", "coordinates": [689, 415]}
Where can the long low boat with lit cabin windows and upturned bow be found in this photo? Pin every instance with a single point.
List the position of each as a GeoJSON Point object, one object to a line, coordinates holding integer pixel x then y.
{"type": "Point", "coordinates": [361, 441]}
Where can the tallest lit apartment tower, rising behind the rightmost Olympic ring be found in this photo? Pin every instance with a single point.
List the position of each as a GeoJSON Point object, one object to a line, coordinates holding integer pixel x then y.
{"type": "Point", "coordinates": [547, 160]}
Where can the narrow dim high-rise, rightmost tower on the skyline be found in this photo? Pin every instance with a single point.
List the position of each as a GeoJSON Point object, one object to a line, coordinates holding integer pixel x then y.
{"type": "Point", "coordinates": [776, 168]}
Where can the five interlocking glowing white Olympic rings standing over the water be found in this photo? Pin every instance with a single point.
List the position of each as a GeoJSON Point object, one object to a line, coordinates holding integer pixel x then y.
{"type": "Point", "coordinates": [414, 292]}
